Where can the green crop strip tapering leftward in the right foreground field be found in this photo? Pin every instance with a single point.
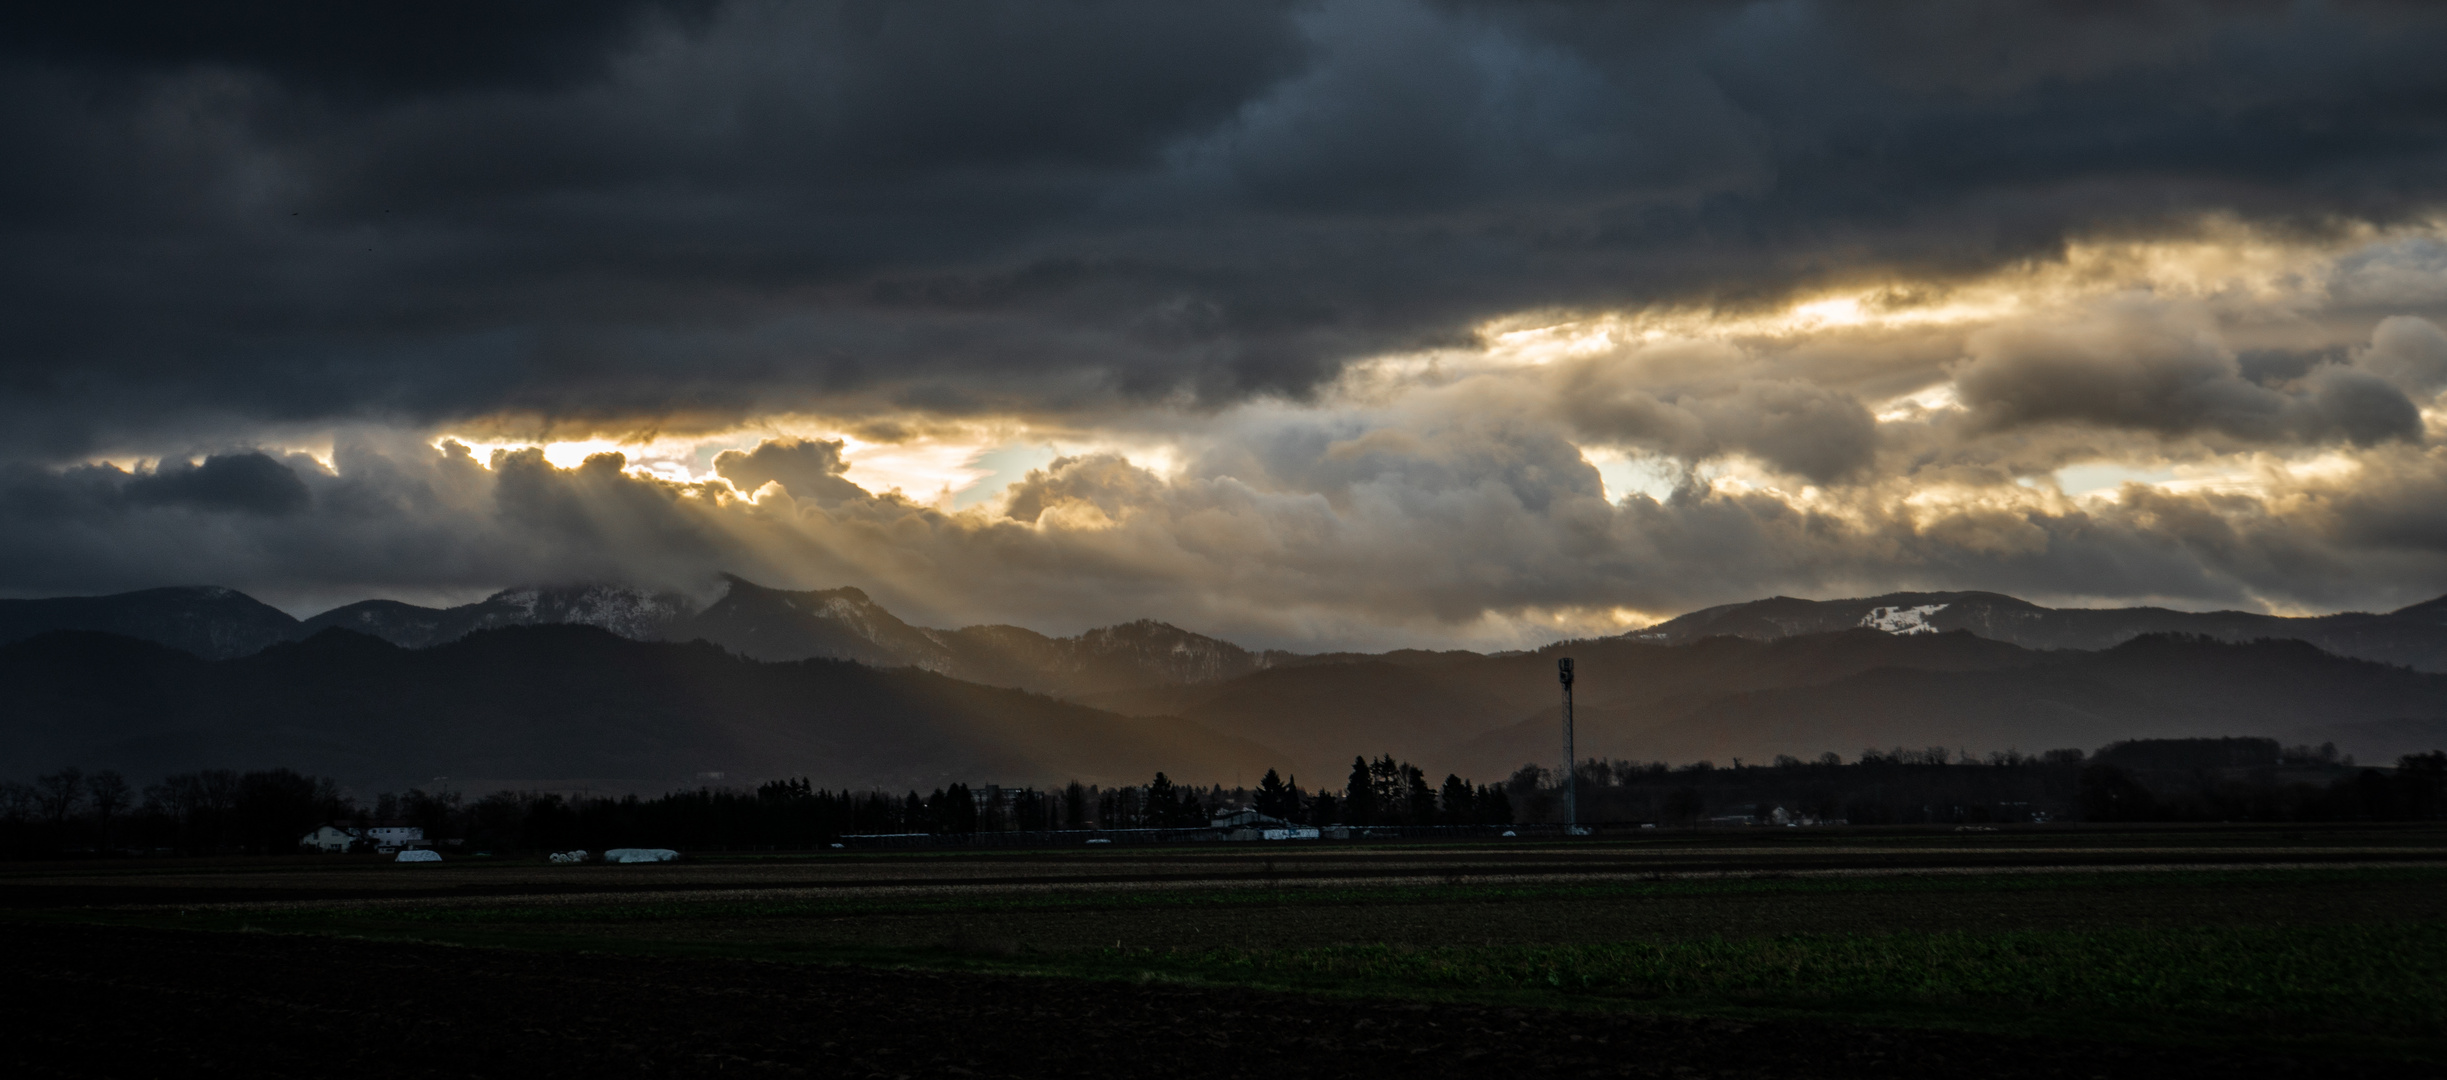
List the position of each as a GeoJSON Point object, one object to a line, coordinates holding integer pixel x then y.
{"type": "Point", "coordinates": [2392, 976]}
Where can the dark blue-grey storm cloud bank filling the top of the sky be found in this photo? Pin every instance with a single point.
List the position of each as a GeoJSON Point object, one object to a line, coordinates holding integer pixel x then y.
{"type": "Point", "coordinates": [628, 214]}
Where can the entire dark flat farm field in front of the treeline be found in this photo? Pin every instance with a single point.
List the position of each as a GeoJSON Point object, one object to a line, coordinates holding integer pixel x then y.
{"type": "Point", "coordinates": [1751, 954]}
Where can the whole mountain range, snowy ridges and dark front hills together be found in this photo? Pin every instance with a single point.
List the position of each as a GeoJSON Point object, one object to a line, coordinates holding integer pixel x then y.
{"type": "Point", "coordinates": [637, 689]}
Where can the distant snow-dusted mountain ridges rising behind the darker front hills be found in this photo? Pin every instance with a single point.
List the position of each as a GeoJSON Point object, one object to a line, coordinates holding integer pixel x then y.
{"type": "Point", "coordinates": [843, 623]}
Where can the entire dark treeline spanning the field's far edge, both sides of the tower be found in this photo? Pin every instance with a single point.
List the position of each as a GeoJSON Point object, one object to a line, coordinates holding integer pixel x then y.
{"type": "Point", "coordinates": [221, 812]}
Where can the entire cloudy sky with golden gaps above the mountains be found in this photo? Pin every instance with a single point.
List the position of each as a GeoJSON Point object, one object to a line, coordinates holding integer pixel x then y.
{"type": "Point", "coordinates": [1320, 324]}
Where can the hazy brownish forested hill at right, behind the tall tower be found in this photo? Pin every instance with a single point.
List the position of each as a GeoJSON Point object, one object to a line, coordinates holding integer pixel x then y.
{"type": "Point", "coordinates": [1726, 697]}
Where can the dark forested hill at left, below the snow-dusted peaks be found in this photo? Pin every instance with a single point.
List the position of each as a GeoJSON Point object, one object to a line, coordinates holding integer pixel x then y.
{"type": "Point", "coordinates": [564, 707]}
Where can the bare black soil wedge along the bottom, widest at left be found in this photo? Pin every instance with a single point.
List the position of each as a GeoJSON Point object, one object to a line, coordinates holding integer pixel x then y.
{"type": "Point", "coordinates": [170, 1003]}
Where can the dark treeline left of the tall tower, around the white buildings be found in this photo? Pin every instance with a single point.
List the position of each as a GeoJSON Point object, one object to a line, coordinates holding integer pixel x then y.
{"type": "Point", "coordinates": [219, 812]}
